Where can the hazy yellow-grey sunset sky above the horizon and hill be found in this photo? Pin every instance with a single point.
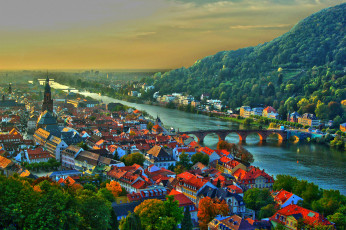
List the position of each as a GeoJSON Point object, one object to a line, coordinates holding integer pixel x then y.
{"type": "Point", "coordinates": [138, 34]}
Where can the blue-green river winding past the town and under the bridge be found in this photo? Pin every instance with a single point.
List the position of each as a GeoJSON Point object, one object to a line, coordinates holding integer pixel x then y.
{"type": "Point", "coordinates": [315, 163]}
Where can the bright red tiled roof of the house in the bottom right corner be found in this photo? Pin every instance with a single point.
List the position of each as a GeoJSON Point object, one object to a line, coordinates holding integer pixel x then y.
{"type": "Point", "coordinates": [310, 217]}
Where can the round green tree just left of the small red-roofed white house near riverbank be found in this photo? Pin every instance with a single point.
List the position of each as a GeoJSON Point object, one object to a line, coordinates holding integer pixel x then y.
{"type": "Point", "coordinates": [256, 198]}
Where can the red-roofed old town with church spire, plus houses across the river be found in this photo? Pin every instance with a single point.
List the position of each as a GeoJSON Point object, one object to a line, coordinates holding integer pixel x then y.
{"type": "Point", "coordinates": [135, 163]}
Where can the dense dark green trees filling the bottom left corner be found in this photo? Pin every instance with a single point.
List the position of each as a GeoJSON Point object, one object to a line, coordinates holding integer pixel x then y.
{"type": "Point", "coordinates": [46, 205]}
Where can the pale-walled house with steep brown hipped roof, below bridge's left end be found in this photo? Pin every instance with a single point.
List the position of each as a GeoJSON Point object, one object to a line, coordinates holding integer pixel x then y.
{"type": "Point", "coordinates": [158, 156]}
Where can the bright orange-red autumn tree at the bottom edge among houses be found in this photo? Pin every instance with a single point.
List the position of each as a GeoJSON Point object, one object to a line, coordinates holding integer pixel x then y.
{"type": "Point", "coordinates": [209, 208]}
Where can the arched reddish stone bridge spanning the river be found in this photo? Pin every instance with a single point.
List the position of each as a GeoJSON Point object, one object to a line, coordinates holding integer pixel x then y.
{"type": "Point", "coordinates": [222, 134]}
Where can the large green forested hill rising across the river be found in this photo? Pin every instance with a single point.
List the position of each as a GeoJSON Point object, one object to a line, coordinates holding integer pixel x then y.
{"type": "Point", "coordinates": [299, 70]}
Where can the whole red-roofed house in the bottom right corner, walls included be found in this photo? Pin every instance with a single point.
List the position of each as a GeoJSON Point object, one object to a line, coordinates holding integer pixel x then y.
{"type": "Point", "coordinates": [291, 214]}
